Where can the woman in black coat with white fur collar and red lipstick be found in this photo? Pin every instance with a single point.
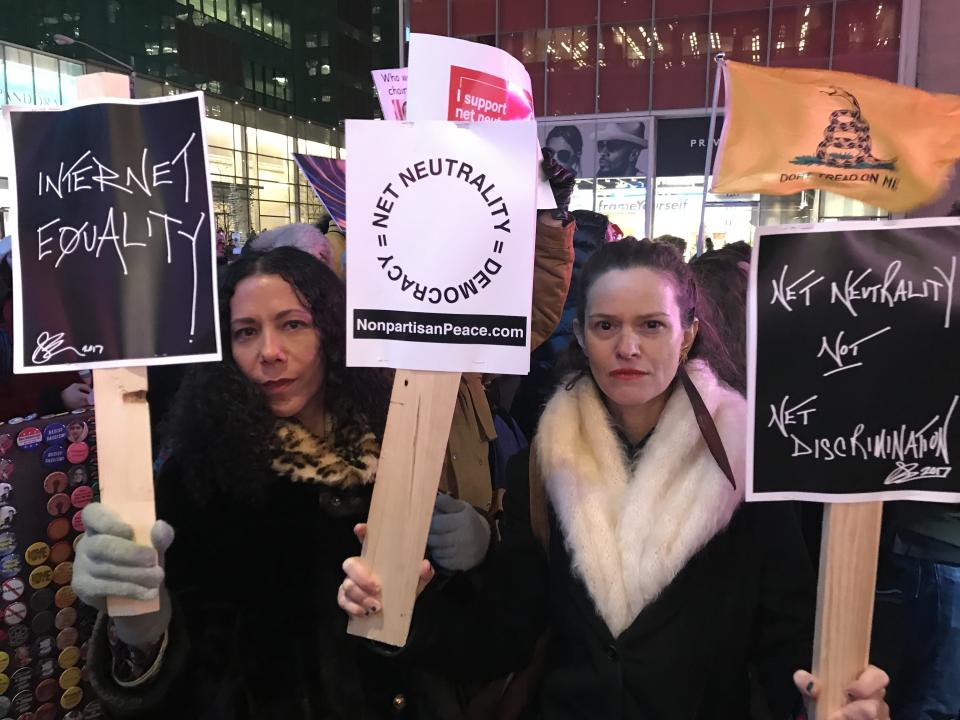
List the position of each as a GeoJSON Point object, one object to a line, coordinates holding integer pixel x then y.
{"type": "Point", "coordinates": [665, 596]}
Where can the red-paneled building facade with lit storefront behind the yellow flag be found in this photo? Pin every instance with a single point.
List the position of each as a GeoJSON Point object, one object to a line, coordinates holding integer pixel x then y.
{"type": "Point", "coordinates": [643, 71]}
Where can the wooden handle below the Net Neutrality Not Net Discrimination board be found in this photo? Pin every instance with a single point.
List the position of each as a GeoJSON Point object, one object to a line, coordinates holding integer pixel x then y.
{"type": "Point", "coordinates": [848, 578]}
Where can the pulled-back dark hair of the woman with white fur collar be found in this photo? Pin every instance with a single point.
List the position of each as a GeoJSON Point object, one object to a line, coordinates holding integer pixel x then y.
{"type": "Point", "coordinates": [631, 253]}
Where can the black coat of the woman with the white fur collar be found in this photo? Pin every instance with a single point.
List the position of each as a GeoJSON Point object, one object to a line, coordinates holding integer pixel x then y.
{"type": "Point", "coordinates": [742, 606]}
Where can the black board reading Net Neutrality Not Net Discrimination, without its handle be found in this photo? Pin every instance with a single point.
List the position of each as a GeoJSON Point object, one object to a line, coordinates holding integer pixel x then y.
{"type": "Point", "coordinates": [855, 387]}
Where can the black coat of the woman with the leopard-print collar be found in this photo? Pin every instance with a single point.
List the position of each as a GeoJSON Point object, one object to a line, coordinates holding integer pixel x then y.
{"type": "Point", "coordinates": [256, 631]}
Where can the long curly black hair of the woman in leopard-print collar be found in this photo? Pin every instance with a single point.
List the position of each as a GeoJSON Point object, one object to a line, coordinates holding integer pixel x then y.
{"type": "Point", "coordinates": [220, 428]}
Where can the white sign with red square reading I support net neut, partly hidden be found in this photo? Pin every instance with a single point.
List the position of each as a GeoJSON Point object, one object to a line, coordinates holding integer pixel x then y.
{"type": "Point", "coordinates": [452, 79]}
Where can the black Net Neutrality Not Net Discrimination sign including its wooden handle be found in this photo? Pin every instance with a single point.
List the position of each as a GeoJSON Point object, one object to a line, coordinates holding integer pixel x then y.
{"type": "Point", "coordinates": [852, 393]}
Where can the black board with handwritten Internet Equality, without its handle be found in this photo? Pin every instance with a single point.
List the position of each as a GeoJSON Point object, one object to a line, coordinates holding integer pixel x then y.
{"type": "Point", "coordinates": [114, 236]}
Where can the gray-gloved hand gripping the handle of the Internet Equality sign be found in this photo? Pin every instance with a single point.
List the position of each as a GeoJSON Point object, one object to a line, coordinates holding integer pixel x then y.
{"type": "Point", "coordinates": [110, 564]}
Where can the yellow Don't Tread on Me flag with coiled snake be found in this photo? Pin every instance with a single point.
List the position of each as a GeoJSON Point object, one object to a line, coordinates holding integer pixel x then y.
{"type": "Point", "coordinates": [788, 130]}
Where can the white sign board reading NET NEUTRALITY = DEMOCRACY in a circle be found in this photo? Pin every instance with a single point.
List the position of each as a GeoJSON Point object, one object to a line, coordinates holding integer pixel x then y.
{"type": "Point", "coordinates": [440, 274]}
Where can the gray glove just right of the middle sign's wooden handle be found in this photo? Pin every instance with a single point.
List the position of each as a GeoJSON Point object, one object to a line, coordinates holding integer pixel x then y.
{"type": "Point", "coordinates": [459, 535]}
